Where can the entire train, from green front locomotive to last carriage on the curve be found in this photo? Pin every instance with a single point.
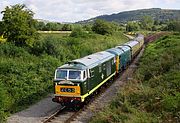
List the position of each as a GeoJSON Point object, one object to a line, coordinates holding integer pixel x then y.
{"type": "Point", "coordinates": [75, 81]}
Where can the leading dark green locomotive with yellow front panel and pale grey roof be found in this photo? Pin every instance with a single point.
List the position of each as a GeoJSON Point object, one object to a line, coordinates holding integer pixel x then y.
{"type": "Point", "coordinates": [78, 79]}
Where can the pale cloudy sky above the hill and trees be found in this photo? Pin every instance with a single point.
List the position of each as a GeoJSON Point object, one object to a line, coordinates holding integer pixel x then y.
{"type": "Point", "coordinates": [77, 10]}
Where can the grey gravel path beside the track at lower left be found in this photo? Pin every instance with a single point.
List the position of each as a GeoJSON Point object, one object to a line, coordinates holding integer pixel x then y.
{"type": "Point", "coordinates": [35, 113]}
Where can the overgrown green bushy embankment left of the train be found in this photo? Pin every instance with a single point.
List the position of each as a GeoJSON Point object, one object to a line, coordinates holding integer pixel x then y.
{"type": "Point", "coordinates": [26, 73]}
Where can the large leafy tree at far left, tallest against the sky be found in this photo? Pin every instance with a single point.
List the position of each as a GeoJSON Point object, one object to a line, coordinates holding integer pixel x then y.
{"type": "Point", "coordinates": [19, 25]}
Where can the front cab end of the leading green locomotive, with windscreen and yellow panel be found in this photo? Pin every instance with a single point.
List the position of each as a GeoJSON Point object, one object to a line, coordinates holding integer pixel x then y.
{"type": "Point", "coordinates": [68, 82]}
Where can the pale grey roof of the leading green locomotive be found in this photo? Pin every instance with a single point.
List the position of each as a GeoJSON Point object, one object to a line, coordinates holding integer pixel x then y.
{"type": "Point", "coordinates": [93, 60]}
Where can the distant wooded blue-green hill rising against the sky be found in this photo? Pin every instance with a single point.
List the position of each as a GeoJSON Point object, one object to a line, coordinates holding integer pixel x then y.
{"type": "Point", "coordinates": [136, 15]}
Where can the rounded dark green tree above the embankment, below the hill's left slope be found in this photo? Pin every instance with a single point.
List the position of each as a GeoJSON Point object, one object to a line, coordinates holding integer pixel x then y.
{"type": "Point", "coordinates": [102, 27]}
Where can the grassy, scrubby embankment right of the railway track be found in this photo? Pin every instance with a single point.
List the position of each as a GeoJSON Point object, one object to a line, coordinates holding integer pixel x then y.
{"type": "Point", "coordinates": [154, 94]}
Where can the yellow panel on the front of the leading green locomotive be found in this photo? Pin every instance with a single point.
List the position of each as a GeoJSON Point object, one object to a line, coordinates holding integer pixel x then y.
{"type": "Point", "coordinates": [70, 91]}
